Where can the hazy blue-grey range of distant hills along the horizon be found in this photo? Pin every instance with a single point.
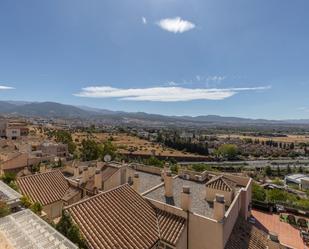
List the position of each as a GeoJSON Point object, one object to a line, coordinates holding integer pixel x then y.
{"type": "Point", "coordinates": [57, 110]}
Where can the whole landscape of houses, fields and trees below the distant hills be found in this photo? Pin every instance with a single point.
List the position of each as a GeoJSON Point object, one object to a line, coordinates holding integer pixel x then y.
{"type": "Point", "coordinates": [74, 184]}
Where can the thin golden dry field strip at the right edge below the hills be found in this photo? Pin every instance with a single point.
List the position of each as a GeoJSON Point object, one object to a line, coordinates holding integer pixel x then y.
{"type": "Point", "coordinates": [288, 139]}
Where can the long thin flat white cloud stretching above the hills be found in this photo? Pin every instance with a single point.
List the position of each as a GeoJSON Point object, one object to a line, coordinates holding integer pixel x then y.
{"type": "Point", "coordinates": [162, 94]}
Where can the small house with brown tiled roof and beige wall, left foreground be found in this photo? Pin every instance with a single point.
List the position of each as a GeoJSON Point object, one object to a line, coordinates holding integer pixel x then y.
{"type": "Point", "coordinates": [51, 190]}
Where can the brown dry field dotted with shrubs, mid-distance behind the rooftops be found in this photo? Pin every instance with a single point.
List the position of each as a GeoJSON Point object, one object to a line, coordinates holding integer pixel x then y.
{"type": "Point", "coordinates": [127, 143]}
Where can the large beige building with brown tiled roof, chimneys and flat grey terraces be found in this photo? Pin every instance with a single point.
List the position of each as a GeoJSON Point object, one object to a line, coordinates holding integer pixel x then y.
{"type": "Point", "coordinates": [175, 213]}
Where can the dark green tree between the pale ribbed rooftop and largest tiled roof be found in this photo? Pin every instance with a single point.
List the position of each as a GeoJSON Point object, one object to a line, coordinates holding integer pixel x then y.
{"type": "Point", "coordinates": [70, 230]}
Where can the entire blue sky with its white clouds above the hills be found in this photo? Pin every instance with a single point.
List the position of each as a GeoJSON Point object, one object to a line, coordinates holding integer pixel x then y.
{"type": "Point", "coordinates": [177, 57]}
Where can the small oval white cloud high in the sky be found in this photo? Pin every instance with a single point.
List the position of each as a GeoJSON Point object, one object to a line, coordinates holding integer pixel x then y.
{"type": "Point", "coordinates": [176, 25]}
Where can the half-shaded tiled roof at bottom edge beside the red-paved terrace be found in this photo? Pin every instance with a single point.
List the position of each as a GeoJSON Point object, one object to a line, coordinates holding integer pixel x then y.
{"type": "Point", "coordinates": [246, 236]}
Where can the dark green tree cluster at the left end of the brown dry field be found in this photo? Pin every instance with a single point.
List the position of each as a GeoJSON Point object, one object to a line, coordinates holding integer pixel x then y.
{"type": "Point", "coordinates": [92, 150]}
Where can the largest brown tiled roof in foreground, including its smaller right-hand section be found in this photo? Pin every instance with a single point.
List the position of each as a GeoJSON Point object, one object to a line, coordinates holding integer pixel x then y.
{"type": "Point", "coordinates": [121, 218]}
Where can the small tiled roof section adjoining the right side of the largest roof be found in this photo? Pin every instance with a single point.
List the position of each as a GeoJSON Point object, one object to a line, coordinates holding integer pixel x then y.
{"type": "Point", "coordinates": [171, 226]}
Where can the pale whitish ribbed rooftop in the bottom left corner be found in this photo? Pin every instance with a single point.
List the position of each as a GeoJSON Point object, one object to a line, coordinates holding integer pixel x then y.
{"type": "Point", "coordinates": [24, 230]}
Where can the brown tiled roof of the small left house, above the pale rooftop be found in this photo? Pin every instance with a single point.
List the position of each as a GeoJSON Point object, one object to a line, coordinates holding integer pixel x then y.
{"type": "Point", "coordinates": [44, 188]}
